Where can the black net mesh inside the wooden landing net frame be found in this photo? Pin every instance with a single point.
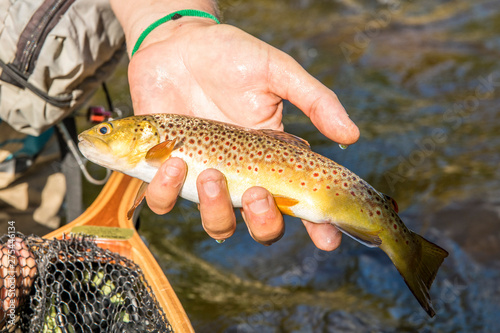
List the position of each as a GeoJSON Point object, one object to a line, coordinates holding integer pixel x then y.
{"type": "Point", "coordinates": [73, 285]}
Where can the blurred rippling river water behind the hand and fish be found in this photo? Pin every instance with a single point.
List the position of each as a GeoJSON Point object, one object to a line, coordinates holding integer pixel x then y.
{"type": "Point", "coordinates": [422, 81]}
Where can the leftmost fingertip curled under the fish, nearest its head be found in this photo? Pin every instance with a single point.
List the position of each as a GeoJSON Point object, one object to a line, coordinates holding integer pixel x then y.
{"type": "Point", "coordinates": [163, 190]}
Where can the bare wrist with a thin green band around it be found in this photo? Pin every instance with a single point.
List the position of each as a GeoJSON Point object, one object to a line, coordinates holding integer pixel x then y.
{"type": "Point", "coordinates": [135, 17]}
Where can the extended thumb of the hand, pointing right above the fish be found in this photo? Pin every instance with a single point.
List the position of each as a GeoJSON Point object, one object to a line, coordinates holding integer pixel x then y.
{"type": "Point", "coordinates": [317, 101]}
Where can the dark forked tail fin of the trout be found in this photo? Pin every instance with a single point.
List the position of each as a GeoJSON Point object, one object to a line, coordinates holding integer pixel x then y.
{"type": "Point", "coordinates": [420, 272]}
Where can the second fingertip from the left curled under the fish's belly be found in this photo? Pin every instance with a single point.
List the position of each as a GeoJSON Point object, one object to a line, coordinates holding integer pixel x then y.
{"type": "Point", "coordinates": [216, 209]}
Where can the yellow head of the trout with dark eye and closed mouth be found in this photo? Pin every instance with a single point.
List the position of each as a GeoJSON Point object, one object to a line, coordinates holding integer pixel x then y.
{"type": "Point", "coordinates": [119, 144]}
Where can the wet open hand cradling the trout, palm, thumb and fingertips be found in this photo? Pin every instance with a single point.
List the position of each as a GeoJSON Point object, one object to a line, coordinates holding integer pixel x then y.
{"type": "Point", "coordinates": [192, 66]}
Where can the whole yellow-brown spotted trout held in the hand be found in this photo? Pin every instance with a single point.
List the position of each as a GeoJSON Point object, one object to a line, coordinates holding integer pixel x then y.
{"type": "Point", "coordinates": [305, 184]}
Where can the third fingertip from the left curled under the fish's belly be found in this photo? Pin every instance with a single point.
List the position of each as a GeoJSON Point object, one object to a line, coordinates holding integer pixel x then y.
{"type": "Point", "coordinates": [263, 219]}
